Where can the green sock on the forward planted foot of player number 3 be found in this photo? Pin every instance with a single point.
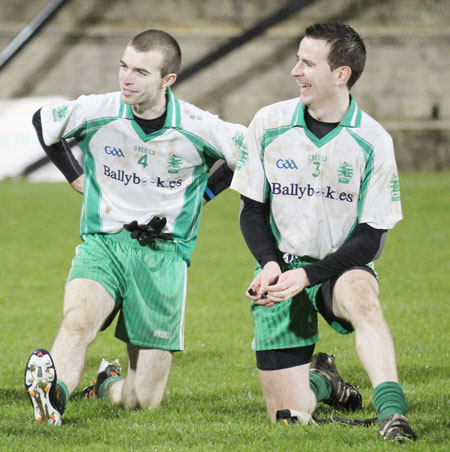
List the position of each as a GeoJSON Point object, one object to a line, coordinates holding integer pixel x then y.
{"type": "Point", "coordinates": [388, 399]}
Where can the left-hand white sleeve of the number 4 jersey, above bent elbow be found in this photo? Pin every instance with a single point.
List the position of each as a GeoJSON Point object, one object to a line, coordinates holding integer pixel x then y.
{"type": "Point", "coordinates": [62, 120]}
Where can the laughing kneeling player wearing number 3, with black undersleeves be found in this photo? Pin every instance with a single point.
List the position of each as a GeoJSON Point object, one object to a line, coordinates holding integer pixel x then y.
{"type": "Point", "coordinates": [320, 189]}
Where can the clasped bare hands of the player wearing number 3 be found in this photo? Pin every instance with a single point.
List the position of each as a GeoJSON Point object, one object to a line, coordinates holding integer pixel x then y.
{"type": "Point", "coordinates": [271, 285]}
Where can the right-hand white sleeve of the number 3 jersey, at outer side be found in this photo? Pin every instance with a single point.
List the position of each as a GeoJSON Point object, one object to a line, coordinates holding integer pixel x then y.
{"type": "Point", "coordinates": [381, 208]}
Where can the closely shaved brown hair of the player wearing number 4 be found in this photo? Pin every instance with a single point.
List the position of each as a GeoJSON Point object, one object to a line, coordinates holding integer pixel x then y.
{"type": "Point", "coordinates": [160, 40]}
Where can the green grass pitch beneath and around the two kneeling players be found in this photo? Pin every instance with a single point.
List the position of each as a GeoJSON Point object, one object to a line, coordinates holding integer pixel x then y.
{"type": "Point", "coordinates": [213, 401]}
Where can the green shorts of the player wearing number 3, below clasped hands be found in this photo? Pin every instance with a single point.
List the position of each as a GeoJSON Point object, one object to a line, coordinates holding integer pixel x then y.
{"type": "Point", "coordinates": [293, 323]}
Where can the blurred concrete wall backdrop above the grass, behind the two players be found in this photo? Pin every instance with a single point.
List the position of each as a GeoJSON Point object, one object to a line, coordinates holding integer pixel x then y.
{"type": "Point", "coordinates": [237, 56]}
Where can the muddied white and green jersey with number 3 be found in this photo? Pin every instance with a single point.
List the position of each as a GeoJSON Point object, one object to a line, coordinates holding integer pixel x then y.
{"type": "Point", "coordinates": [319, 189]}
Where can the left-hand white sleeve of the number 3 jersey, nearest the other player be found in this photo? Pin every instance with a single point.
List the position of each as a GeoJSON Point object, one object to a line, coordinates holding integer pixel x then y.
{"type": "Point", "coordinates": [249, 177]}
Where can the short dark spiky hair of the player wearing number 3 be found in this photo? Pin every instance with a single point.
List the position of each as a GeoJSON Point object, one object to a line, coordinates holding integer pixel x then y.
{"type": "Point", "coordinates": [346, 47]}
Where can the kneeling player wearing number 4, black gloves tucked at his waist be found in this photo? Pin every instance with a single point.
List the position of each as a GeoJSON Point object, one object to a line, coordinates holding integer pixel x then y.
{"type": "Point", "coordinates": [147, 156]}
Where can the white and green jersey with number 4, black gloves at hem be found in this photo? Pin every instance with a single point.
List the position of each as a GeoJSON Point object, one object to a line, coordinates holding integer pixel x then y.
{"type": "Point", "coordinates": [129, 175]}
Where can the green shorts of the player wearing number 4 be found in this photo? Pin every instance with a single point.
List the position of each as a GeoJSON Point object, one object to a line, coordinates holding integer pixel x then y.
{"type": "Point", "coordinates": [148, 284]}
